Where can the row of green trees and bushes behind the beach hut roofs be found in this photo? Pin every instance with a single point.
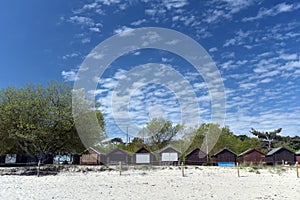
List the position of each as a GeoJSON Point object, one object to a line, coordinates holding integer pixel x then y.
{"type": "Point", "coordinates": [160, 132]}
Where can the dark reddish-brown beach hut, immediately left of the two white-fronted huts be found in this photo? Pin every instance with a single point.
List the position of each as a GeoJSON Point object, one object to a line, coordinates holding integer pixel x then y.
{"type": "Point", "coordinates": [118, 155]}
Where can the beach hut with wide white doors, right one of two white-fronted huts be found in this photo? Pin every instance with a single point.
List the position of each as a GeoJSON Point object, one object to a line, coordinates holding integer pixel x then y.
{"type": "Point", "coordinates": [169, 156]}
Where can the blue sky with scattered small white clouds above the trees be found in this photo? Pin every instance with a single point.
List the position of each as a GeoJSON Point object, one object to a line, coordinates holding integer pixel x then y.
{"type": "Point", "coordinates": [255, 46]}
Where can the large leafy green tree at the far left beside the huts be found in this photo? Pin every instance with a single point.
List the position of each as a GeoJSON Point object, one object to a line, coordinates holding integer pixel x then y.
{"type": "Point", "coordinates": [39, 119]}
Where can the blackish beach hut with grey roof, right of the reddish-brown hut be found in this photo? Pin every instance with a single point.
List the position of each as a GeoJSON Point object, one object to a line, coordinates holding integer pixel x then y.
{"type": "Point", "coordinates": [280, 155]}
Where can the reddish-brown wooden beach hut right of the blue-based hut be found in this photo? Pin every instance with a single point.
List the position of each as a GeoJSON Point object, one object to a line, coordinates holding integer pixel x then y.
{"type": "Point", "coordinates": [252, 156]}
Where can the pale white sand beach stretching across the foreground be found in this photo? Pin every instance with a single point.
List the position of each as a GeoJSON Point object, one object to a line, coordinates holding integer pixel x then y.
{"type": "Point", "coordinates": [200, 183]}
